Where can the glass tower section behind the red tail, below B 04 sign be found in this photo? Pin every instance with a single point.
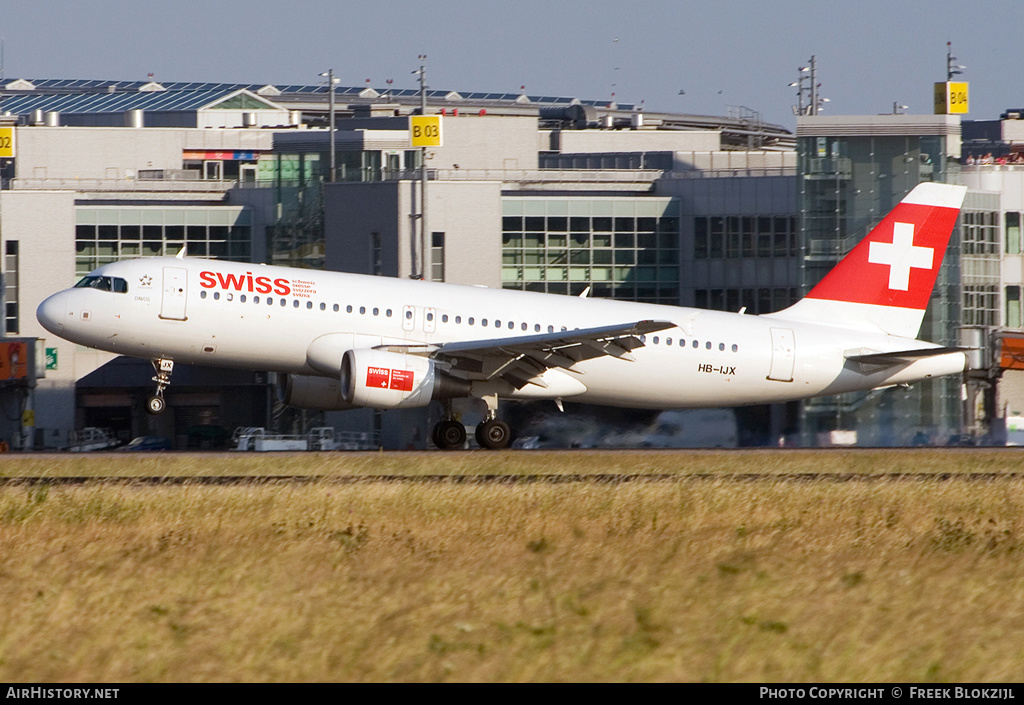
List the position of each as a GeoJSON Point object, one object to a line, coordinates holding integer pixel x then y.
{"type": "Point", "coordinates": [846, 186]}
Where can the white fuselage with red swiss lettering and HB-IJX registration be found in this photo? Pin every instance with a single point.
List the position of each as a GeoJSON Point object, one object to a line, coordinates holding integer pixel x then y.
{"type": "Point", "coordinates": [267, 318]}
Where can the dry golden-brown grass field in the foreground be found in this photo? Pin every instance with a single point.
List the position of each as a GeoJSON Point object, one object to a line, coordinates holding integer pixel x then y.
{"type": "Point", "coordinates": [708, 580]}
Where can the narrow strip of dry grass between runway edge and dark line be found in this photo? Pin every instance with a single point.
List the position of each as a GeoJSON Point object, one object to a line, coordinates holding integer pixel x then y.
{"type": "Point", "coordinates": [773, 462]}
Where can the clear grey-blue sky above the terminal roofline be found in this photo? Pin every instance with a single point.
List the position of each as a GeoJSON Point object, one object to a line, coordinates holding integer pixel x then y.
{"type": "Point", "coordinates": [677, 56]}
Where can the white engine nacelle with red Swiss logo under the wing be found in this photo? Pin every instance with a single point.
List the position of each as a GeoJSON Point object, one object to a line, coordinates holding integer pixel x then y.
{"type": "Point", "coordinates": [396, 381]}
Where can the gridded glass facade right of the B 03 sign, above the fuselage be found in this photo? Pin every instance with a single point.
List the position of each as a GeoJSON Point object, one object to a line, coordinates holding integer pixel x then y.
{"type": "Point", "coordinates": [624, 248]}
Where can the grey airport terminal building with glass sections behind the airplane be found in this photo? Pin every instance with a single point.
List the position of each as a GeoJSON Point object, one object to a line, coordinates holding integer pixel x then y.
{"type": "Point", "coordinates": [532, 193]}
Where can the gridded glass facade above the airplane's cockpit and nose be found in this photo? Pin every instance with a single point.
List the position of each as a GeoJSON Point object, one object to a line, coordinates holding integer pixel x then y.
{"type": "Point", "coordinates": [107, 234]}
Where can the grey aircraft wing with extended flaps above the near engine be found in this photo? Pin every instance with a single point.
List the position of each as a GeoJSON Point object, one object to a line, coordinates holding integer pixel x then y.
{"type": "Point", "coordinates": [522, 361]}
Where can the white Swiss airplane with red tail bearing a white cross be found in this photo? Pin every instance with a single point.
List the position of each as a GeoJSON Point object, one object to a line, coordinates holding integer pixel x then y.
{"type": "Point", "coordinates": [346, 342]}
